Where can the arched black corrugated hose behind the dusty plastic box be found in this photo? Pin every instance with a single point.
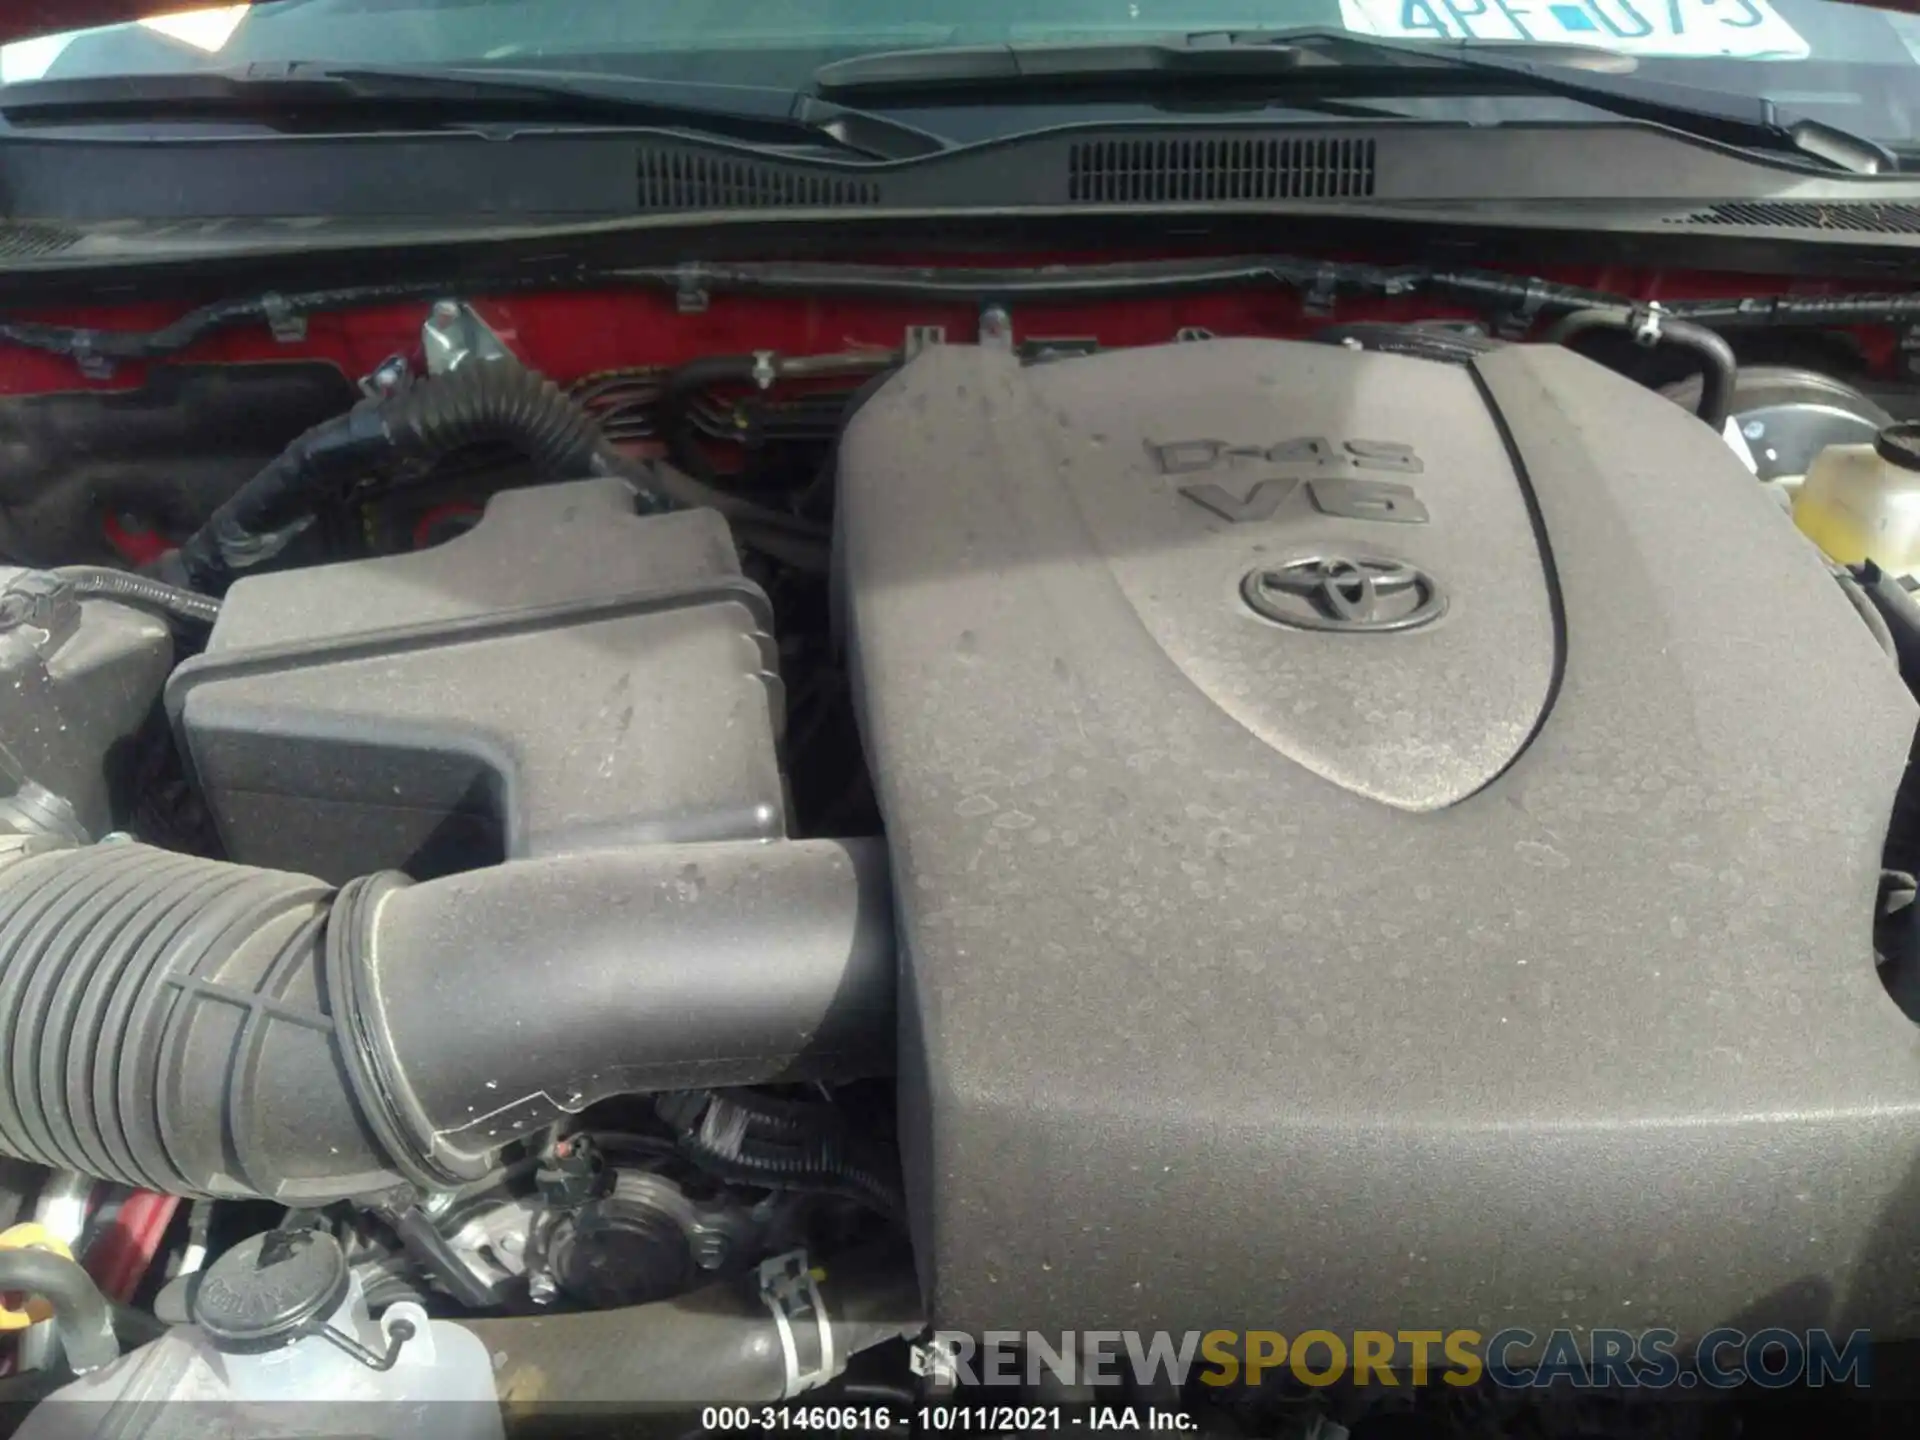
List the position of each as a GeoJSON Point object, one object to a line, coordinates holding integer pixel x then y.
{"type": "Point", "coordinates": [492, 402]}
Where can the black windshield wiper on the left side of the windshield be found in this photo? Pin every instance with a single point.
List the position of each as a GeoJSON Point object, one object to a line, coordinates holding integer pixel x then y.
{"type": "Point", "coordinates": [469, 95]}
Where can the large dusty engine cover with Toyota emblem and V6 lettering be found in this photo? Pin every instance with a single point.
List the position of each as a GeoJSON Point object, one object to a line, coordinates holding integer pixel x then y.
{"type": "Point", "coordinates": [1376, 840]}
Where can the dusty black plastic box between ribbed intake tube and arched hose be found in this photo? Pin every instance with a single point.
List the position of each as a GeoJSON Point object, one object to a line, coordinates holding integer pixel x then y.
{"type": "Point", "coordinates": [565, 677]}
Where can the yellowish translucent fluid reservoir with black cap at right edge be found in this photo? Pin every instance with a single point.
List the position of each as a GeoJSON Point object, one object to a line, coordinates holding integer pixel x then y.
{"type": "Point", "coordinates": [1863, 502]}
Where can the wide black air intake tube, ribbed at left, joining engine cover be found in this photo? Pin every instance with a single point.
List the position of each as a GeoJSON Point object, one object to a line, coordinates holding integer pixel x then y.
{"type": "Point", "coordinates": [212, 1030]}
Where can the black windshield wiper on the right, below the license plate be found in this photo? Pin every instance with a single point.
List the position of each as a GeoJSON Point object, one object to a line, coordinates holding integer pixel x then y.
{"type": "Point", "coordinates": [1301, 64]}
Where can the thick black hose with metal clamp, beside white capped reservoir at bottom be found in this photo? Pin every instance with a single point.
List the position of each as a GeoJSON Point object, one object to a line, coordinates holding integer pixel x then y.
{"type": "Point", "coordinates": [711, 1347]}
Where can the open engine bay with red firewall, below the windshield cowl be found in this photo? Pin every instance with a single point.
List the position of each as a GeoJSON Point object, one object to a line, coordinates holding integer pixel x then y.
{"type": "Point", "coordinates": [1182, 813]}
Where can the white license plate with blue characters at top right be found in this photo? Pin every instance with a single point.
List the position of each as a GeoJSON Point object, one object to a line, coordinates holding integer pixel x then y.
{"type": "Point", "coordinates": [1746, 30]}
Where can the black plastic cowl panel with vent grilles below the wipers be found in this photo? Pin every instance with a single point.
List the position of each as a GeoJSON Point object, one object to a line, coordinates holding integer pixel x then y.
{"type": "Point", "coordinates": [562, 176]}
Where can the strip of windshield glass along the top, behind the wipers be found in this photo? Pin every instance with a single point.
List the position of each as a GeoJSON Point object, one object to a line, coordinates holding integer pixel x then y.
{"type": "Point", "coordinates": [1850, 66]}
